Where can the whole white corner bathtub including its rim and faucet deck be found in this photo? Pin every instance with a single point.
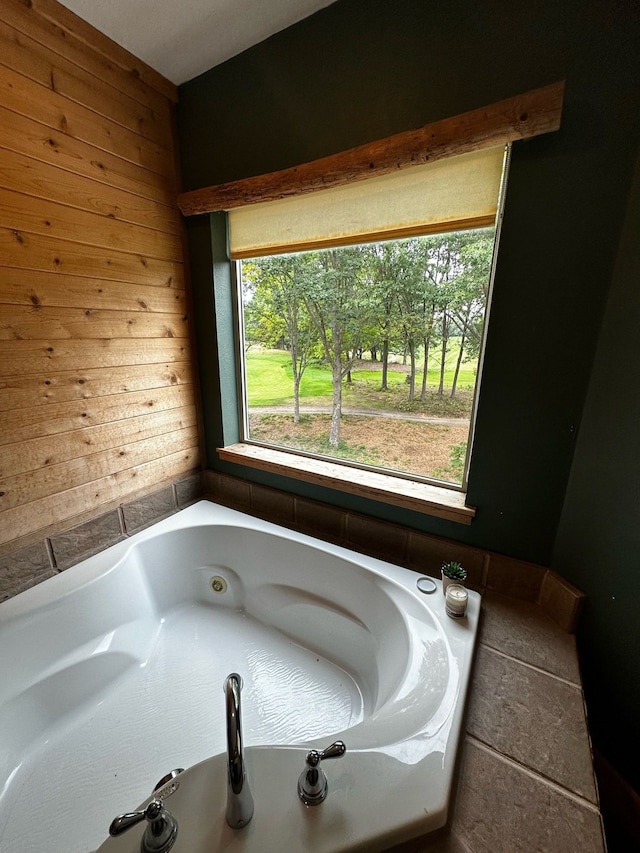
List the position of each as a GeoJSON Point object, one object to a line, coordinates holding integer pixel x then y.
{"type": "Point", "coordinates": [111, 675]}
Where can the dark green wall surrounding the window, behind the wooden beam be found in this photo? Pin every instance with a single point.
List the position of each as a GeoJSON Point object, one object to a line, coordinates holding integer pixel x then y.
{"type": "Point", "coordinates": [363, 69]}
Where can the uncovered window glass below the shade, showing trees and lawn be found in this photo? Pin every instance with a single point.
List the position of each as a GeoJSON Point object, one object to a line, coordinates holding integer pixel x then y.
{"type": "Point", "coordinates": [369, 354]}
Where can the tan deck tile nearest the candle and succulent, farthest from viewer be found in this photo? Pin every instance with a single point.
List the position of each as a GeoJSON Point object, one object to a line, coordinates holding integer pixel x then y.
{"type": "Point", "coordinates": [523, 631]}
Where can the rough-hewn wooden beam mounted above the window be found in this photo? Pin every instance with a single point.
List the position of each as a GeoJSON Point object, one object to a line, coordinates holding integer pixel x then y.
{"type": "Point", "coordinates": [520, 117]}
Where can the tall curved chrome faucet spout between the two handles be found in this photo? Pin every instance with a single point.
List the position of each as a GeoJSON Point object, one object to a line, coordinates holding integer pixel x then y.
{"type": "Point", "coordinates": [239, 798]}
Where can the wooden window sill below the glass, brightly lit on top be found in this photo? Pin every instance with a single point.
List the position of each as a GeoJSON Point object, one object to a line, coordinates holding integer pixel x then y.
{"type": "Point", "coordinates": [408, 494]}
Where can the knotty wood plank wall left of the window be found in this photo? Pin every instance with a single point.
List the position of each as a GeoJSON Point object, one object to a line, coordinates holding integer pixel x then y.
{"type": "Point", "coordinates": [97, 398]}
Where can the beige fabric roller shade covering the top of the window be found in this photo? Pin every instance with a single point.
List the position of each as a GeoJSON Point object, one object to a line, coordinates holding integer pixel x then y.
{"type": "Point", "coordinates": [446, 195]}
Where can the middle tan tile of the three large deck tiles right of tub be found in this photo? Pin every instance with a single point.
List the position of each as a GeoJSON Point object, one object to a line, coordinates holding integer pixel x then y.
{"type": "Point", "coordinates": [533, 718]}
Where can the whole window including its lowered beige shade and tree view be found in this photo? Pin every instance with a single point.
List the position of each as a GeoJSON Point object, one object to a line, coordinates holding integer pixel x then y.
{"type": "Point", "coordinates": [363, 317]}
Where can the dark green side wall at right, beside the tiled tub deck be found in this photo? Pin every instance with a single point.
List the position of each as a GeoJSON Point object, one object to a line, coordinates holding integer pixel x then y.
{"type": "Point", "coordinates": [598, 543]}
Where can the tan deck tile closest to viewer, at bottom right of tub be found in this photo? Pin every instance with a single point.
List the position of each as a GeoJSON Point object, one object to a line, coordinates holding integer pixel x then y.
{"type": "Point", "coordinates": [501, 808]}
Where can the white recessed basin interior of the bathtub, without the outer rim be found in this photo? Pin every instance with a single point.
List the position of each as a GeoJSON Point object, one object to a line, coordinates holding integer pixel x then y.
{"type": "Point", "coordinates": [121, 669]}
